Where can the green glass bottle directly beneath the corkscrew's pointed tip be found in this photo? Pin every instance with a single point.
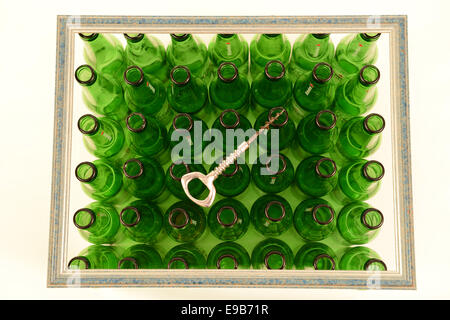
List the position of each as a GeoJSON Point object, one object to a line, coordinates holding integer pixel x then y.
{"type": "Point", "coordinates": [285, 130]}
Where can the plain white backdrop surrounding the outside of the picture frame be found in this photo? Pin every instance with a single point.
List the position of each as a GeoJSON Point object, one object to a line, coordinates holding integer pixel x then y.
{"type": "Point", "coordinates": [27, 69]}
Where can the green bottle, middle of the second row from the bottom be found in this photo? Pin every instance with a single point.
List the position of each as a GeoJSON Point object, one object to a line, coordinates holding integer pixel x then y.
{"type": "Point", "coordinates": [228, 219]}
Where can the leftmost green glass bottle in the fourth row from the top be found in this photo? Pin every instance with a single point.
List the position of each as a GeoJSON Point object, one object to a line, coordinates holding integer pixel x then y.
{"type": "Point", "coordinates": [101, 181]}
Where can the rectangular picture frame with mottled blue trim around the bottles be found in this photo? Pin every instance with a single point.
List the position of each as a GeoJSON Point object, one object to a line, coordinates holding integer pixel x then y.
{"type": "Point", "coordinates": [67, 26]}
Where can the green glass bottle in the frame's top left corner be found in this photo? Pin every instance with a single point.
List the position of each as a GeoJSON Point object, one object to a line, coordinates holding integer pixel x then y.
{"type": "Point", "coordinates": [105, 53]}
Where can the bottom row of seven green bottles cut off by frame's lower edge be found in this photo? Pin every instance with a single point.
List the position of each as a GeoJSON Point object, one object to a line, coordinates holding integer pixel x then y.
{"type": "Point", "coordinates": [270, 254]}
